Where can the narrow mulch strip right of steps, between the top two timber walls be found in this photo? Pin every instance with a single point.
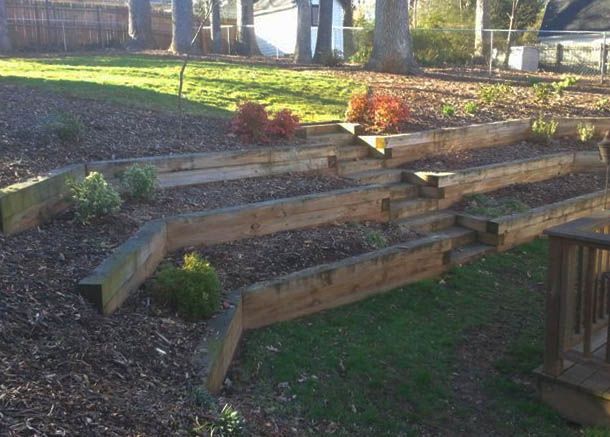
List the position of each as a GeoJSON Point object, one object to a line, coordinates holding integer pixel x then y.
{"type": "Point", "coordinates": [492, 155]}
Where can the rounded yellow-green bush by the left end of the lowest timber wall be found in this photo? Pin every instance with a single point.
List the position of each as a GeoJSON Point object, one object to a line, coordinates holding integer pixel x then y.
{"type": "Point", "coordinates": [193, 289]}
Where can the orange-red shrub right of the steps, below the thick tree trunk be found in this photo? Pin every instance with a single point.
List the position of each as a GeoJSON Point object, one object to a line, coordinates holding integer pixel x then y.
{"type": "Point", "coordinates": [377, 113]}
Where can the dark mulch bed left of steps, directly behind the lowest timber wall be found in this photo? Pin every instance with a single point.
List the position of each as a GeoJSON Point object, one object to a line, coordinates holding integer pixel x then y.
{"type": "Point", "coordinates": [246, 262]}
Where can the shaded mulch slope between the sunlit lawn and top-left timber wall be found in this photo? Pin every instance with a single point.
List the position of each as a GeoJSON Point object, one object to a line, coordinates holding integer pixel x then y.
{"type": "Point", "coordinates": [27, 148]}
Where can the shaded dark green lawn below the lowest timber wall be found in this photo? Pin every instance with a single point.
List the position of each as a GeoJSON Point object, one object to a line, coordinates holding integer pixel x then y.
{"type": "Point", "coordinates": [449, 357]}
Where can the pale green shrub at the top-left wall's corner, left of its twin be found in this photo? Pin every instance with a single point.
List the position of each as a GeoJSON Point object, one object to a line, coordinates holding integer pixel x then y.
{"type": "Point", "coordinates": [93, 197]}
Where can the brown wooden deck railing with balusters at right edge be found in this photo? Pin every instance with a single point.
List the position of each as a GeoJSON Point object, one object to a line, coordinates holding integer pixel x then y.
{"type": "Point", "coordinates": [577, 300]}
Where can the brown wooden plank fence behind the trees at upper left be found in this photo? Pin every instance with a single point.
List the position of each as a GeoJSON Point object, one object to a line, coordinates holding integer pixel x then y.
{"type": "Point", "coordinates": [49, 25]}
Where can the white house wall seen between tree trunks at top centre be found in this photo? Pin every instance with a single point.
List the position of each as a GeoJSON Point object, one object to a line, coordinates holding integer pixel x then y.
{"type": "Point", "coordinates": [275, 22]}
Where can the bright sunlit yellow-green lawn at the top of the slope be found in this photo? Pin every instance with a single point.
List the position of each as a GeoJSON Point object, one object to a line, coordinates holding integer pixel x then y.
{"type": "Point", "coordinates": [211, 88]}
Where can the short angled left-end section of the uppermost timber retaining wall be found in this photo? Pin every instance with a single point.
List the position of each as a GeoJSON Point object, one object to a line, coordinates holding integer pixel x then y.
{"type": "Point", "coordinates": [31, 203]}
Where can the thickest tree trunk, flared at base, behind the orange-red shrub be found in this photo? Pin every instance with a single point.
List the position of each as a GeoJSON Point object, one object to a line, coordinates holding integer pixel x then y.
{"type": "Point", "coordinates": [392, 47]}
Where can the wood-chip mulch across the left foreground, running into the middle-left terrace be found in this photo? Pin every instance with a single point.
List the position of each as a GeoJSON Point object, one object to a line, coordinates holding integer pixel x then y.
{"type": "Point", "coordinates": [65, 368]}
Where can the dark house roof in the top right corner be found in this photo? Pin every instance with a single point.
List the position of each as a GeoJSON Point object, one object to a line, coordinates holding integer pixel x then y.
{"type": "Point", "coordinates": [591, 15]}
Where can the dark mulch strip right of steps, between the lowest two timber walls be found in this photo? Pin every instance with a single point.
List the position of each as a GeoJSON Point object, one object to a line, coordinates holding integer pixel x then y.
{"type": "Point", "coordinates": [545, 192]}
